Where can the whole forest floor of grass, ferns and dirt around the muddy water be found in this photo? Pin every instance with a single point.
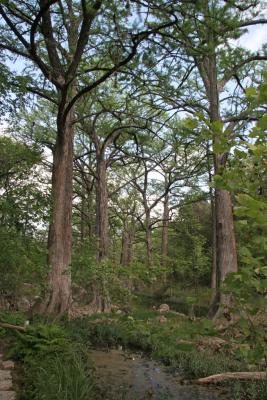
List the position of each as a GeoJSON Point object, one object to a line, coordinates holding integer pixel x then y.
{"type": "Point", "coordinates": [191, 347]}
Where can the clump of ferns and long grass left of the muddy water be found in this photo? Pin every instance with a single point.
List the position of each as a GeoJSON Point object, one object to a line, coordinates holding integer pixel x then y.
{"type": "Point", "coordinates": [53, 366]}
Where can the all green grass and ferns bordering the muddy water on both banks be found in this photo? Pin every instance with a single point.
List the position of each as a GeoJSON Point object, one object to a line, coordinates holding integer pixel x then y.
{"type": "Point", "coordinates": [54, 365]}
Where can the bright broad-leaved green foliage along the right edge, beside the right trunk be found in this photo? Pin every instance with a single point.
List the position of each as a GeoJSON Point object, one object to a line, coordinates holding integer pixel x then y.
{"type": "Point", "coordinates": [249, 285]}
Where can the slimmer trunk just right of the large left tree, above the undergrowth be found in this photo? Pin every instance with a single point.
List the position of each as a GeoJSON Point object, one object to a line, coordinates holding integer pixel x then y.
{"type": "Point", "coordinates": [102, 209]}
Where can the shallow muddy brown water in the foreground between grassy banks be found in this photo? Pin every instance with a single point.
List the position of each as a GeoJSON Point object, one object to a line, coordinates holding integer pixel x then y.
{"type": "Point", "coordinates": [128, 376]}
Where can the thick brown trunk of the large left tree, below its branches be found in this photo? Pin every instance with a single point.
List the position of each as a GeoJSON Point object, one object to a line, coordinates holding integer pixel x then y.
{"type": "Point", "coordinates": [60, 231]}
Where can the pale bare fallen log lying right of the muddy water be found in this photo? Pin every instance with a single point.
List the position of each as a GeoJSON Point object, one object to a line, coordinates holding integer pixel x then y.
{"type": "Point", "coordinates": [243, 376]}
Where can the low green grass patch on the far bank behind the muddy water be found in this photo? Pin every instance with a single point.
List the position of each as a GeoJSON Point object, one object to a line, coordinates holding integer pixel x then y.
{"type": "Point", "coordinates": [162, 341]}
